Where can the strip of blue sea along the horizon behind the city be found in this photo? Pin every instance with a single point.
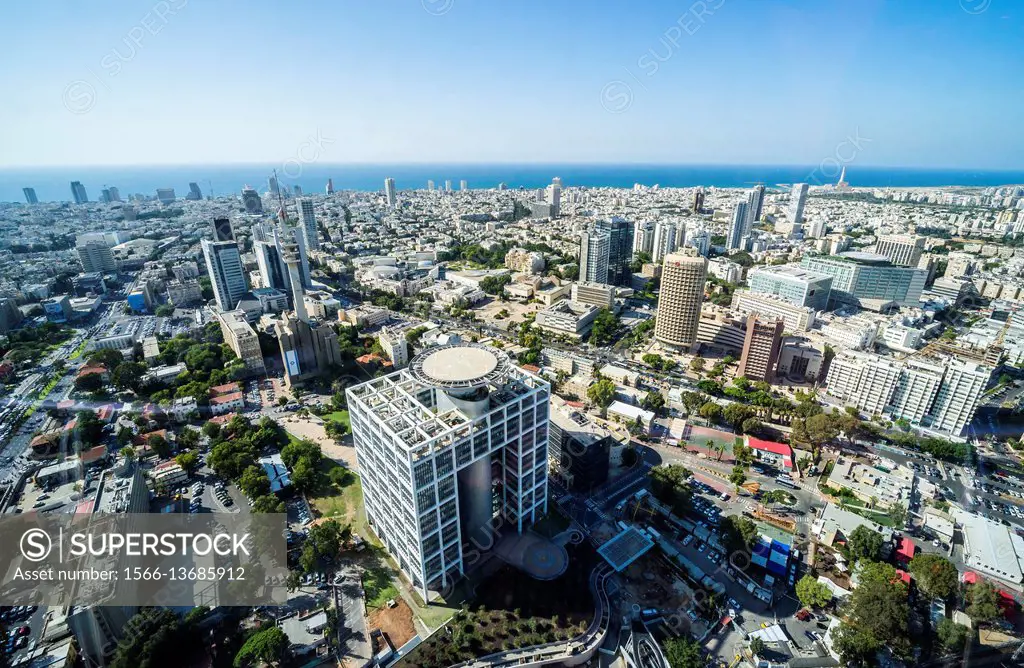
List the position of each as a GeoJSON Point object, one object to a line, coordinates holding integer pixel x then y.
{"type": "Point", "coordinates": [53, 184]}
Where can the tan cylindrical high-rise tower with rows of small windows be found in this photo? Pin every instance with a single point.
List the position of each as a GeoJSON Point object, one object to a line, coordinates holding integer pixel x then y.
{"type": "Point", "coordinates": [684, 277]}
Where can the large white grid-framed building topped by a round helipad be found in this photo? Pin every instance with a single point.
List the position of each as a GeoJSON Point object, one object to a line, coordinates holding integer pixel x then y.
{"type": "Point", "coordinates": [451, 450]}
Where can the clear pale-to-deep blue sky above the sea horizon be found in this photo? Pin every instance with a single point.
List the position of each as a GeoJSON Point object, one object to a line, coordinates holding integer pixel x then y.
{"type": "Point", "coordinates": [933, 83]}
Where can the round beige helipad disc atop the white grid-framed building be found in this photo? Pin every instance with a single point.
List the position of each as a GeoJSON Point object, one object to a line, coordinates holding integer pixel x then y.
{"type": "Point", "coordinates": [460, 366]}
